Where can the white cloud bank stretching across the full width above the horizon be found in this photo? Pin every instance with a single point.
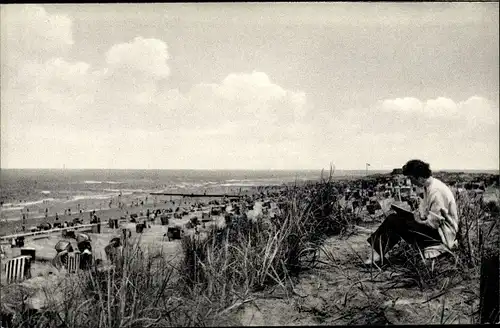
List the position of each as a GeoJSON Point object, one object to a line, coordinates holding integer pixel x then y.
{"type": "Point", "coordinates": [58, 110]}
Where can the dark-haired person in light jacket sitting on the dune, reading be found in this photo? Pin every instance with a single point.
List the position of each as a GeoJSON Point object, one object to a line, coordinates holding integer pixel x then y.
{"type": "Point", "coordinates": [432, 227]}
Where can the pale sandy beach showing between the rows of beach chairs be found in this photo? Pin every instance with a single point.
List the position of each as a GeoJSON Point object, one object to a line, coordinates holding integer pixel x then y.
{"type": "Point", "coordinates": [150, 237]}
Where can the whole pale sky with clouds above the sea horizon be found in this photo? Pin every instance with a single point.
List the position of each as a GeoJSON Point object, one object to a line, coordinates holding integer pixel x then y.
{"type": "Point", "coordinates": [250, 85]}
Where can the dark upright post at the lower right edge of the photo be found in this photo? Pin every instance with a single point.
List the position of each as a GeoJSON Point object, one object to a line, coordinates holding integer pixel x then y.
{"type": "Point", "coordinates": [489, 281]}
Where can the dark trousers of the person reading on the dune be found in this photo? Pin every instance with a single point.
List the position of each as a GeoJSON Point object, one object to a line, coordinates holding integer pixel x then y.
{"type": "Point", "coordinates": [396, 227]}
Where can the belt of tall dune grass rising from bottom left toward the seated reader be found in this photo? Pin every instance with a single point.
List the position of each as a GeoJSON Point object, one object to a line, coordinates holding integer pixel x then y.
{"type": "Point", "coordinates": [215, 274]}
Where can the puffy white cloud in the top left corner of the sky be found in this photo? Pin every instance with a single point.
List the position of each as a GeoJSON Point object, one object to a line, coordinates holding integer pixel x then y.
{"type": "Point", "coordinates": [29, 32]}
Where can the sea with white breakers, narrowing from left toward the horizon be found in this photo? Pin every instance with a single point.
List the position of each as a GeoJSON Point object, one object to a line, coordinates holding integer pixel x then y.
{"type": "Point", "coordinates": [25, 188]}
